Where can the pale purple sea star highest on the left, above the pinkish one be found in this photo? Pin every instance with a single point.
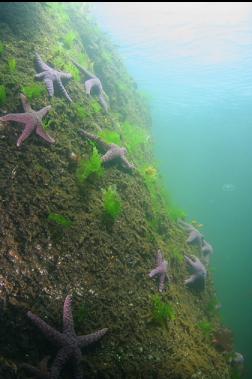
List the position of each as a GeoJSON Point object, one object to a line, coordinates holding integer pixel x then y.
{"type": "Point", "coordinates": [51, 76]}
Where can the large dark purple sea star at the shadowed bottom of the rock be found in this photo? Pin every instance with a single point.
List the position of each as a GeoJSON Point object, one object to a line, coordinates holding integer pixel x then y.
{"type": "Point", "coordinates": [68, 343]}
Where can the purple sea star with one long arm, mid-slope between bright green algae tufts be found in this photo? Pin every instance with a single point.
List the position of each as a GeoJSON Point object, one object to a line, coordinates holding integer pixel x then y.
{"type": "Point", "coordinates": [113, 151]}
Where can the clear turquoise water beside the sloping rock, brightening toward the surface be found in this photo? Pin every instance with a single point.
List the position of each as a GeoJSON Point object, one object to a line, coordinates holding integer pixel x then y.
{"type": "Point", "coordinates": [194, 62]}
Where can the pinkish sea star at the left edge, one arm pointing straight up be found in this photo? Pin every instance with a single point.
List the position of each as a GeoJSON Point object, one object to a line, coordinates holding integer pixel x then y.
{"type": "Point", "coordinates": [32, 120]}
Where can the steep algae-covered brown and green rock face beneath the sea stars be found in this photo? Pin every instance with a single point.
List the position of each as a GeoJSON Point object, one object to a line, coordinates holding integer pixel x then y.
{"type": "Point", "coordinates": [103, 264]}
